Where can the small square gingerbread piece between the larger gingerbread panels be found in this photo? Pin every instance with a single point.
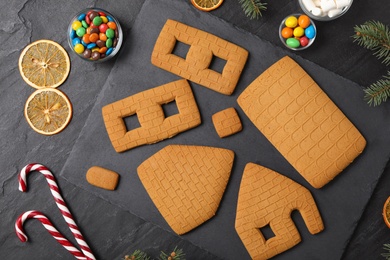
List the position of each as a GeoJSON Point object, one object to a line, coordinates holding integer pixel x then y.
{"type": "Point", "coordinates": [227, 122]}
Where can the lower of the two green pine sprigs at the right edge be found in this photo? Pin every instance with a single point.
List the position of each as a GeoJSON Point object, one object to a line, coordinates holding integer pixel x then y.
{"type": "Point", "coordinates": [379, 91]}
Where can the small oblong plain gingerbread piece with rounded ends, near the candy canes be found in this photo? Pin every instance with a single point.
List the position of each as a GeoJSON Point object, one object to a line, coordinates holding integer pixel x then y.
{"type": "Point", "coordinates": [102, 178]}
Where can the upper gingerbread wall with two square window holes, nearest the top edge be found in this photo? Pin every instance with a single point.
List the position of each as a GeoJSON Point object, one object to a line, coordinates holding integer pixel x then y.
{"type": "Point", "coordinates": [195, 67]}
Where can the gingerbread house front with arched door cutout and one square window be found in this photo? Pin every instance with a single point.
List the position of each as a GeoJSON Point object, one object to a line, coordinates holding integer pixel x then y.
{"type": "Point", "coordinates": [267, 198]}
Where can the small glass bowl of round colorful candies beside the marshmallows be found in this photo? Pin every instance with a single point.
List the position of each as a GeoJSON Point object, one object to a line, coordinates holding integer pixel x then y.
{"type": "Point", "coordinates": [297, 32]}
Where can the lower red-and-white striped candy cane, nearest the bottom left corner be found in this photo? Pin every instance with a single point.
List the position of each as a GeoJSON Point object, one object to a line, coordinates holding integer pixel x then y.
{"type": "Point", "coordinates": [49, 227]}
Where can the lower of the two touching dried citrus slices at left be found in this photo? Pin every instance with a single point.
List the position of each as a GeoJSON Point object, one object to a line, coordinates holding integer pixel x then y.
{"type": "Point", "coordinates": [48, 111]}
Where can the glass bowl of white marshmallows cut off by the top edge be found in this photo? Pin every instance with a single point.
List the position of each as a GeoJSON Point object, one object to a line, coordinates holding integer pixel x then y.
{"type": "Point", "coordinates": [325, 10]}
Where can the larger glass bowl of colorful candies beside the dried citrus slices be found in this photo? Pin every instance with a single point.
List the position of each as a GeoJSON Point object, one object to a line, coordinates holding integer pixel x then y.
{"type": "Point", "coordinates": [95, 35]}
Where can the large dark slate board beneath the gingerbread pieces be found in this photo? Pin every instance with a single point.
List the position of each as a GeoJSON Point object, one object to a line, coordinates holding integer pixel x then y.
{"type": "Point", "coordinates": [341, 202]}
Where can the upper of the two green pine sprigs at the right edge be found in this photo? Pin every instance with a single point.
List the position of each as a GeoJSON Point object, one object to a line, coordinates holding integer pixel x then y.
{"type": "Point", "coordinates": [375, 36]}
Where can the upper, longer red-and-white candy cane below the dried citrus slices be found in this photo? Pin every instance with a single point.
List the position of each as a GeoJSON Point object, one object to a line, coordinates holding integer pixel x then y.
{"type": "Point", "coordinates": [59, 201]}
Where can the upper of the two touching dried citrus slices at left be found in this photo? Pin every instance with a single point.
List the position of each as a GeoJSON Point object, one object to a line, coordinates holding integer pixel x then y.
{"type": "Point", "coordinates": [44, 64]}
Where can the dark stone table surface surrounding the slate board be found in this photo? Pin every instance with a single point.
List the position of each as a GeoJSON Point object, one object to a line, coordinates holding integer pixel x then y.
{"type": "Point", "coordinates": [120, 232]}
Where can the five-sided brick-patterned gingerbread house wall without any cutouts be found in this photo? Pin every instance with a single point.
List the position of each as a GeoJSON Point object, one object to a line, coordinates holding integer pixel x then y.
{"type": "Point", "coordinates": [186, 183]}
